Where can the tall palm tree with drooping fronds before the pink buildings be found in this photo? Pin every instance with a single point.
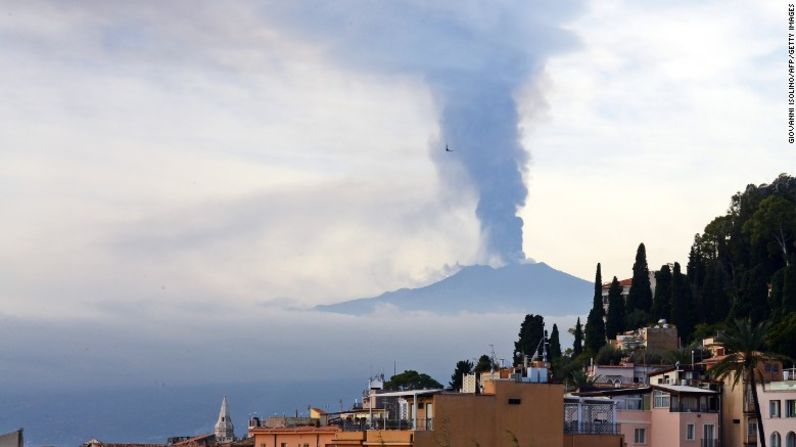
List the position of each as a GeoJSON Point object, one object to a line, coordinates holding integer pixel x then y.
{"type": "Point", "coordinates": [745, 343]}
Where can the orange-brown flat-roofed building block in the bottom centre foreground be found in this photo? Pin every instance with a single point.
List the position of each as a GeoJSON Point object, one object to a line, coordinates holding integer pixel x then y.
{"type": "Point", "coordinates": [512, 406]}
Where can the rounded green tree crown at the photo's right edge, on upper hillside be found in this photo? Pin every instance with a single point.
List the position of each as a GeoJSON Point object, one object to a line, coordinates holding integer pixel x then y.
{"type": "Point", "coordinates": [775, 219]}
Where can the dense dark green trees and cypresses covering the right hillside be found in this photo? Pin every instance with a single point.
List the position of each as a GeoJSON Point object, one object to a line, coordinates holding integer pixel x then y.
{"type": "Point", "coordinates": [743, 265]}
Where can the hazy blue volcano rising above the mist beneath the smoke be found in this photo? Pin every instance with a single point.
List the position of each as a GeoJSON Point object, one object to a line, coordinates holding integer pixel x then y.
{"type": "Point", "coordinates": [526, 288]}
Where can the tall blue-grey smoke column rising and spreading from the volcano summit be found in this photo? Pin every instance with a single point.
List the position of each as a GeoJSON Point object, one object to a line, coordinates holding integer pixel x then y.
{"type": "Point", "coordinates": [474, 56]}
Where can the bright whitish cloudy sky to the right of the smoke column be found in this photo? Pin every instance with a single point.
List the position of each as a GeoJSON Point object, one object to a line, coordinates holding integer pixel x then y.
{"type": "Point", "coordinates": [654, 122]}
